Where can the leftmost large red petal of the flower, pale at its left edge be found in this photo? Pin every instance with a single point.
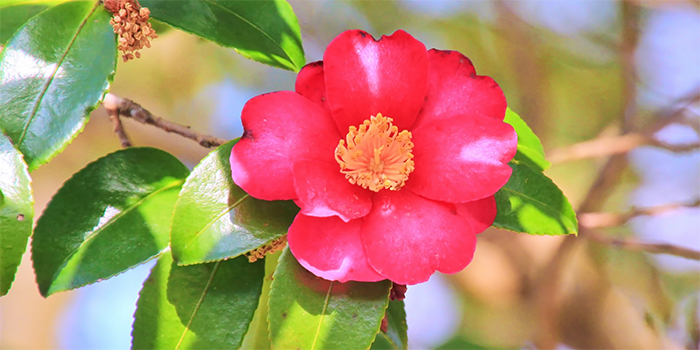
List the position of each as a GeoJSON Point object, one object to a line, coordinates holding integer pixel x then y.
{"type": "Point", "coordinates": [280, 128]}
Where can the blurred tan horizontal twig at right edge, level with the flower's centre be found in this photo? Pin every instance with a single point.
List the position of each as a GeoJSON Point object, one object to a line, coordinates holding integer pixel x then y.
{"type": "Point", "coordinates": [607, 146]}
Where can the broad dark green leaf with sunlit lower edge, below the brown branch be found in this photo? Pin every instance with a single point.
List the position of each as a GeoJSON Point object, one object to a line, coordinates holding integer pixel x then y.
{"type": "Point", "coordinates": [109, 217]}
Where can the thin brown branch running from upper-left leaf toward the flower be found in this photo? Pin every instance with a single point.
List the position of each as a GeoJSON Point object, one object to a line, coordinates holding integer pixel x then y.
{"type": "Point", "coordinates": [130, 109]}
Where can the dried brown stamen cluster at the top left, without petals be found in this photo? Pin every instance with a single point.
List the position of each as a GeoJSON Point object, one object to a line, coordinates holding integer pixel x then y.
{"type": "Point", "coordinates": [130, 21]}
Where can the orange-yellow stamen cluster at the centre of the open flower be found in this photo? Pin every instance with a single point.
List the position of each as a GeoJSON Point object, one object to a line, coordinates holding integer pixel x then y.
{"type": "Point", "coordinates": [377, 156]}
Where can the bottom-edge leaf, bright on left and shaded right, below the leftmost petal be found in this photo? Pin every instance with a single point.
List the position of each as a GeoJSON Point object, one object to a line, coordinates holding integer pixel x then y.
{"type": "Point", "coordinates": [205, 306]}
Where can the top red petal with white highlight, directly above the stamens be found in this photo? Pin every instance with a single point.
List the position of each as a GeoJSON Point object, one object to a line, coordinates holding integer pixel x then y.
{"type": "Point", "coordinates": [365, 77]}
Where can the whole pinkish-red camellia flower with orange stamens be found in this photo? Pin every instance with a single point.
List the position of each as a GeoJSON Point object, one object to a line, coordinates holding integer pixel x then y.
{"type": "Point", "coordinates": [392, 152]}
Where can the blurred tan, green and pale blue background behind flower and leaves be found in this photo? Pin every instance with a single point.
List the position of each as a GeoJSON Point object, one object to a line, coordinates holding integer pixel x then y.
{"type": "Point", "coordinates": [581, 73]}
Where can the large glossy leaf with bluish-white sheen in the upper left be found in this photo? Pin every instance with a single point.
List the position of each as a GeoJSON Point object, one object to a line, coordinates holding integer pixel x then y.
{"type": "Point", "coordinates": [53, 72]}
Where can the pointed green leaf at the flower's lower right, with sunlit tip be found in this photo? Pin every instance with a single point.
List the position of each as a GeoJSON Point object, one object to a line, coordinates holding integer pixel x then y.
{"type": "Point", "coordinates": [530, 202]}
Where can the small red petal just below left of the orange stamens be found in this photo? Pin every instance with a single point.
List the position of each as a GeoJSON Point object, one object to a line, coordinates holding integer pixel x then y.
{"type": "Point", "coordinates": [323, 191]}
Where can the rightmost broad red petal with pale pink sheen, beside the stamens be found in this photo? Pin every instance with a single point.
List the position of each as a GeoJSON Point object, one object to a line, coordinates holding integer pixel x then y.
{"type": "Point", "coordinates": [461, 159]}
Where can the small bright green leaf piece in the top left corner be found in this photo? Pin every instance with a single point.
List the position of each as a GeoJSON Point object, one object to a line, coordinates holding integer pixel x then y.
{"type": "Point", "coordinates": [14, 13]}
